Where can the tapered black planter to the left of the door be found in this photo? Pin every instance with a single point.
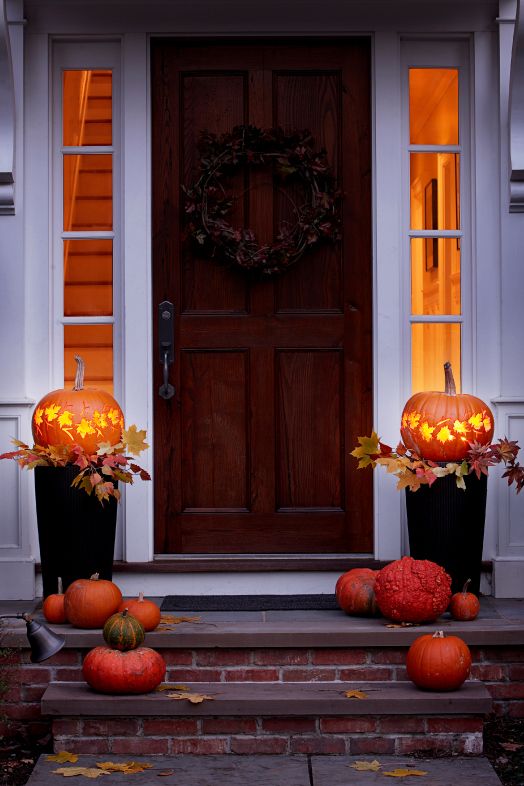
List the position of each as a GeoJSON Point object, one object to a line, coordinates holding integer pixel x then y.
{"type": "Point", "coordinates": [76, 533]}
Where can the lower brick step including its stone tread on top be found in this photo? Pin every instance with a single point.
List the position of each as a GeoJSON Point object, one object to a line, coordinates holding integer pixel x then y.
{"type": "Point", "coordinates": [273, 718]}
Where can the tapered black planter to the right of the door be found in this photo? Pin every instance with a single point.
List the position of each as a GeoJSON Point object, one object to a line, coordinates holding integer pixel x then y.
{"type": "Point", "coordinates": [446, 526]}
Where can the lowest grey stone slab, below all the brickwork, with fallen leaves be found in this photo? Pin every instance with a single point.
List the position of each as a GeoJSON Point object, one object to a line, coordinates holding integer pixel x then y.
{"type": "Point", "coordinates": [277, 770]}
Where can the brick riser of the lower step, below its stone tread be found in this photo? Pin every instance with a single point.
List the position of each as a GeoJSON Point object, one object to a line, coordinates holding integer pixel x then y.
{"type": "Point", "coordinates": [264, 735]}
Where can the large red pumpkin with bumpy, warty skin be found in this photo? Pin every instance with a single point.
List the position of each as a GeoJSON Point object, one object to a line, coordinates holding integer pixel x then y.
{"type": "Point", "coordinates": [412, 590]}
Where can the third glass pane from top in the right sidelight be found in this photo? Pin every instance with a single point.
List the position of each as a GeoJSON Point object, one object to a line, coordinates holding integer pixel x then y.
{"type": "Point", "coordinates": [435, 276]}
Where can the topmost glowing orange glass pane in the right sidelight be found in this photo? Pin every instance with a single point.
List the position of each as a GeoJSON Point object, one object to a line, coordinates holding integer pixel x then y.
{"type": "Point", "coordinates": [433, 106]}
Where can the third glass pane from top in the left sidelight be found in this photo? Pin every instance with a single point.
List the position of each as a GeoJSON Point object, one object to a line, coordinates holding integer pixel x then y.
{"type": "Point", "coordinates": [88, 278]}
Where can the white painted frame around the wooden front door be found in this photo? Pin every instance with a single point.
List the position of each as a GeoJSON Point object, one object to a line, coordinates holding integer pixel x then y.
{"type": "Point", "coordinates": [388, 356]}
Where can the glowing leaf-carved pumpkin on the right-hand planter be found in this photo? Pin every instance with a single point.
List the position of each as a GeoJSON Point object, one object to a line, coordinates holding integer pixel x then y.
{"type": "Point", "coordinates": [439, 426]}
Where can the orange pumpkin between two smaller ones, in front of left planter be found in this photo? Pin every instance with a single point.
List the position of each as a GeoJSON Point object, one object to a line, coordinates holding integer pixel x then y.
{"type": "Point", "coordinates": [90, 602]}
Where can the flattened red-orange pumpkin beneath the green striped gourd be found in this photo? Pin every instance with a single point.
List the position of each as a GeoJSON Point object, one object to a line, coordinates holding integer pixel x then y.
{"type": "Point", "coordinates": [112, 671]}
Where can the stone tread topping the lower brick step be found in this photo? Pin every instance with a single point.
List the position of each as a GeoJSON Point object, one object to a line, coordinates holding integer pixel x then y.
{"type": "Point", "coordinates": [284, 699]}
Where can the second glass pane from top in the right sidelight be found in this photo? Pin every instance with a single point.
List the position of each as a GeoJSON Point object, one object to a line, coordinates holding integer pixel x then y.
{"type": "Point", "coordinates": [434, 190]}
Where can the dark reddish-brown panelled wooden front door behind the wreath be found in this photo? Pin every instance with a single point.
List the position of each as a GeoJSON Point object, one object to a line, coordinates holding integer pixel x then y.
{"type": "Point", "coordinates": [273, 377]}
